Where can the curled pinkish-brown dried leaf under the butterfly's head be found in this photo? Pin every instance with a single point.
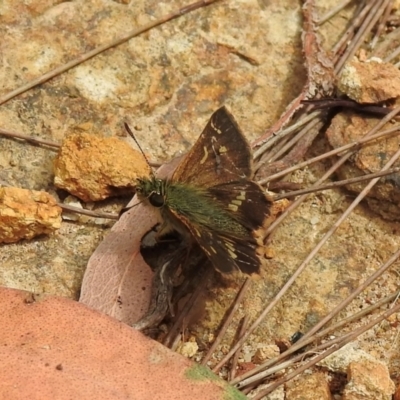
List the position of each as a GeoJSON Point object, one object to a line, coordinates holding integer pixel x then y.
{"type": "Point", "coordinates": [117, 281]}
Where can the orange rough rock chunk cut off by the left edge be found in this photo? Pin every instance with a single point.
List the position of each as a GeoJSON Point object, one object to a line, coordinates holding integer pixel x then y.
{"type": "Point", "coordinates": [25, 214]}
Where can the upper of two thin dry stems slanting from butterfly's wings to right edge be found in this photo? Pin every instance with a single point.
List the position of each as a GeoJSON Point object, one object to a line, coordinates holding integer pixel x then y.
{"type": "Point", "coordinates": [341, 149]}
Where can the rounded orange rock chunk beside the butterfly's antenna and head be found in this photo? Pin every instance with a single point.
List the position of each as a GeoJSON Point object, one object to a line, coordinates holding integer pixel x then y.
{"type": "Point", "coordinates": [94, 168]}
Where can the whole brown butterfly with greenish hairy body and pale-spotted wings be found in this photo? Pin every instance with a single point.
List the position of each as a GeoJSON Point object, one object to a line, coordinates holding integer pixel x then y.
{"type": "Point", "coordinates": [211, 198]}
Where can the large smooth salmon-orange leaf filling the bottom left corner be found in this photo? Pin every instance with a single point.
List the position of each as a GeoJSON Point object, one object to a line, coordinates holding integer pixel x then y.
{"type": "Point", "coordinates": [65, 350]}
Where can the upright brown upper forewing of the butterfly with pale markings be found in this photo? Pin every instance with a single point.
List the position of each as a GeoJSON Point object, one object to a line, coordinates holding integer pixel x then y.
{"type": "Point", "coordinates": [221, 153]}
